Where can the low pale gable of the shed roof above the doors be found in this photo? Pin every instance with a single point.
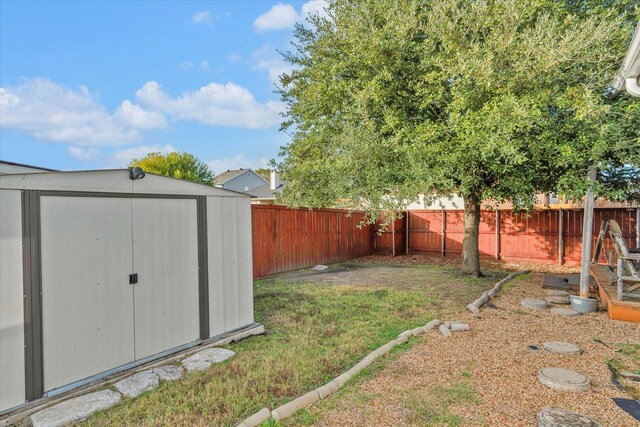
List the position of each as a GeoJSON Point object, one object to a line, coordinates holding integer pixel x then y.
{"type": "Point", "coordinates": [110, 181]}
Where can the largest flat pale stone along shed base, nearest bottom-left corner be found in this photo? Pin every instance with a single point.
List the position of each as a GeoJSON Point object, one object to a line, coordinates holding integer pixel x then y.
{"type": "Point", "coordinates": [76, 409]}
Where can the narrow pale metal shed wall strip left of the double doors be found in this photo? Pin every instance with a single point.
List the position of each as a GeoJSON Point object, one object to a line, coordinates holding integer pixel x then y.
{"type": "Point", "coordinates": [12, 383]}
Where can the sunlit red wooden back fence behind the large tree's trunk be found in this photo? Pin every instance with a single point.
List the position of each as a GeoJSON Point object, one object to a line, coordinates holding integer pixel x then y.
{"type": "Point", "coordinates": [541, 235]}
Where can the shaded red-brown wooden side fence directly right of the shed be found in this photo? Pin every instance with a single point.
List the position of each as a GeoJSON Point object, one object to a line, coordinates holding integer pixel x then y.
{"type": "Point", "coordinates": [290, 239]}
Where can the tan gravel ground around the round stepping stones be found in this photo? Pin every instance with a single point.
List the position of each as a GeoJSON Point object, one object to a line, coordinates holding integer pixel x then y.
{"type": "Point", "coordinates": [493, 359]}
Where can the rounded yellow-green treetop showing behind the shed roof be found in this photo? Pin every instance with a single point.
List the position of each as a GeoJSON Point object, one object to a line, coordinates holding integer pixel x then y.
{"type": "Point", "coordinates": [177, 165]}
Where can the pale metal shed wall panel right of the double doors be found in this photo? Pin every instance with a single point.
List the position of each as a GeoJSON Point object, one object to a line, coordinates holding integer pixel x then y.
{"type": "Point", "coordinates": [229, 252]}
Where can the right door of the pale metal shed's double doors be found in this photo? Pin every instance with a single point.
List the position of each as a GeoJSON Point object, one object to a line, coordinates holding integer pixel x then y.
{"type": "Point", "coordinates": [165, 253]}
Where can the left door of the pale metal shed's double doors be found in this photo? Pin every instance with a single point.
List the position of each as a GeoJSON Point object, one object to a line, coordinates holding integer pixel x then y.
{"type": "Point", "coordinates": [87, 302]}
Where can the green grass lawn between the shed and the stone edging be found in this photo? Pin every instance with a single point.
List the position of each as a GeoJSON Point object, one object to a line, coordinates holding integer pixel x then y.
{"type": "Point", "coordinates": [315, 331]}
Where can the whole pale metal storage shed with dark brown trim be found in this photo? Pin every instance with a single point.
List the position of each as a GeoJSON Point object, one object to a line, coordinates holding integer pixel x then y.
{"type": "Point", "coordinates": [102, 270]}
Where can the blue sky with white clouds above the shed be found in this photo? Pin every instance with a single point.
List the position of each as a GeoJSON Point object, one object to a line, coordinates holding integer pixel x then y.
{"type": "Point", "coordinates": [88, 85]}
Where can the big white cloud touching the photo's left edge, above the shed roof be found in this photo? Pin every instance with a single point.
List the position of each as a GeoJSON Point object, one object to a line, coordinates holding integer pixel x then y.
{"type": "Point", "coordinates": [48, 111]}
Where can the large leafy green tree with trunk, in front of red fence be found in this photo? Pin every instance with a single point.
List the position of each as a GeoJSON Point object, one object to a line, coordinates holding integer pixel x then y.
{"type": "Point", "coordinates": [491, 100]}
